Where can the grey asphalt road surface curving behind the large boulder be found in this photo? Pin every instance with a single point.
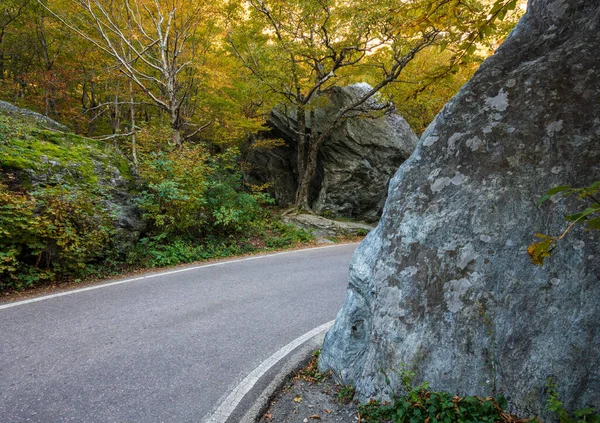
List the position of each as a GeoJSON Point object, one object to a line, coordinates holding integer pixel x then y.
{"type": "Point", "coordinates": [164, 349]}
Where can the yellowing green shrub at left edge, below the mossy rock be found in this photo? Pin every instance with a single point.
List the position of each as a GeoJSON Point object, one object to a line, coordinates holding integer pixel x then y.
{"type": "Point", "coordinates": [50, 231]}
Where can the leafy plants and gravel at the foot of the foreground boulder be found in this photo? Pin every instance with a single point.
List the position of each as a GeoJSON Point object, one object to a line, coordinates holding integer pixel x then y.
{"type": "Point", "coordinates": [416, 403]}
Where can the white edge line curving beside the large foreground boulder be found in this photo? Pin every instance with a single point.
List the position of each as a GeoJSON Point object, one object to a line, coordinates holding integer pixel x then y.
{"type": "Point", "coordinates": [228, 405]}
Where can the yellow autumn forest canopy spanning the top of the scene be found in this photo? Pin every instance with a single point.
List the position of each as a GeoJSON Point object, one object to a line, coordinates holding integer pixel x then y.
{"type": "Point", "coordinates": [217, 67]}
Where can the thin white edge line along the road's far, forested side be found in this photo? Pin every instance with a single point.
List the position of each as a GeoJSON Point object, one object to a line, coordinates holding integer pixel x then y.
{"type": "Point", "coordinates": [156, 275]}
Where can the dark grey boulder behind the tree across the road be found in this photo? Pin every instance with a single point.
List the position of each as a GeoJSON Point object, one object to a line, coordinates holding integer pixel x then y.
{"type": "Point", "coordinates": [355, 164]}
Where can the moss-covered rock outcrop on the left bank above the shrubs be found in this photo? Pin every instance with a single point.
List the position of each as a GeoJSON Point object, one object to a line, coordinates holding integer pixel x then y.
{"type": "Point", "coordinates": [42, 158]}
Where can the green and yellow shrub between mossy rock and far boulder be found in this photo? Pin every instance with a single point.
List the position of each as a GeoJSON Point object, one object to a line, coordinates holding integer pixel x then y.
{"type": "Point", "coordinates": [189, 193]}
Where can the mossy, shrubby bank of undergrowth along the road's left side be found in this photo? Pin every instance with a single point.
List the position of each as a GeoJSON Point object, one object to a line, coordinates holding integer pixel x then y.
{"type": "Point", "coordinates": [62, 198]}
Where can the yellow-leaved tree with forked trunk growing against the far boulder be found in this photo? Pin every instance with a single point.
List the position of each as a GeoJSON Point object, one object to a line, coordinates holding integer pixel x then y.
{"type": "Point", "coordinates": [304, 48]}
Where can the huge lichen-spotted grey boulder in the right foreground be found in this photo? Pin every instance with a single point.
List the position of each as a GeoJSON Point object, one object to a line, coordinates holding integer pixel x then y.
{"type": "Point", "coordinates": [444, 285]}
